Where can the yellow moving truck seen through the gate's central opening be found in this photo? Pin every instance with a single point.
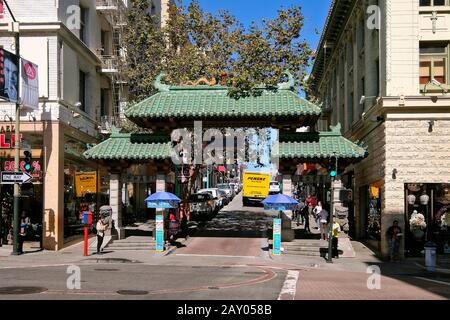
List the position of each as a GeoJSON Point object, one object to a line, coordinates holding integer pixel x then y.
{"type": "Point", "coordinates": [255, 187]}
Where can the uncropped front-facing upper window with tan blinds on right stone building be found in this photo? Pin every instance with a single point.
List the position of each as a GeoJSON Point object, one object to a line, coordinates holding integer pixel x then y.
{"type": "Point", "coordinates": [433, 63]}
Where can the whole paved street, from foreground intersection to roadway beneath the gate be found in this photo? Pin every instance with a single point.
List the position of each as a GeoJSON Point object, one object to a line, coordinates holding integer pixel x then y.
{"type": "Point", "coordinates": [216, 263]}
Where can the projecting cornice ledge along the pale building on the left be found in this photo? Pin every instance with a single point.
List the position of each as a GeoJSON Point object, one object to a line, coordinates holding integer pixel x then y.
{"type": "Point", "coordinates": [57, 28]}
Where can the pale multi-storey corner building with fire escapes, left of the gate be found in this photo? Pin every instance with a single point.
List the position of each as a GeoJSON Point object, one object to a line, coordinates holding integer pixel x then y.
{"type": "Point", "coordinates": [77, 47]}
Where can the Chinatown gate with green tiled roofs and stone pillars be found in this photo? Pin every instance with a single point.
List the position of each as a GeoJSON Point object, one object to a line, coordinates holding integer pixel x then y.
{"type": "Point", "coordinates": [175, 107]}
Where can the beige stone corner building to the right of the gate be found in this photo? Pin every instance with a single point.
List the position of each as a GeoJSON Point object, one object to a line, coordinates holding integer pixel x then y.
{"type": "Point", "coordinates": [382, 71]}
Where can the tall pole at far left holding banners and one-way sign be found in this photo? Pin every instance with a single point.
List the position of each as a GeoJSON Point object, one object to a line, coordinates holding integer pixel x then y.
{"type": "Point", "coordinates": [16, 224]}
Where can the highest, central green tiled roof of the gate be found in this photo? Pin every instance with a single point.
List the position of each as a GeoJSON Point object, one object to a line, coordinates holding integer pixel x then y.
{"type": "Point", "coordinates": [213, 102]}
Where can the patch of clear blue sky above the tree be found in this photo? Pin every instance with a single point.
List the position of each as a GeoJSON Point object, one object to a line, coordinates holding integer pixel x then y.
{"type": "Point", "coordinates": [314, 11]}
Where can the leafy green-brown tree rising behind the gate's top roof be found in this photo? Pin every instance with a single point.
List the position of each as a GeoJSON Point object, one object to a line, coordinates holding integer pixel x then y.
{"type": "Point", "coordinates": [196, 44]}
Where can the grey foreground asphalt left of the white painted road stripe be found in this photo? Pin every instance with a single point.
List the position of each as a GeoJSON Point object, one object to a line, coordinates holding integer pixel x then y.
{"type": "Point", "coordinates": [140, 281]}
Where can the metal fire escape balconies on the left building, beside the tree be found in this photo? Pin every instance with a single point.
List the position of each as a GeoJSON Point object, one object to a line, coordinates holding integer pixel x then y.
{"type": "Point", "coordinates": [114, 12]}
